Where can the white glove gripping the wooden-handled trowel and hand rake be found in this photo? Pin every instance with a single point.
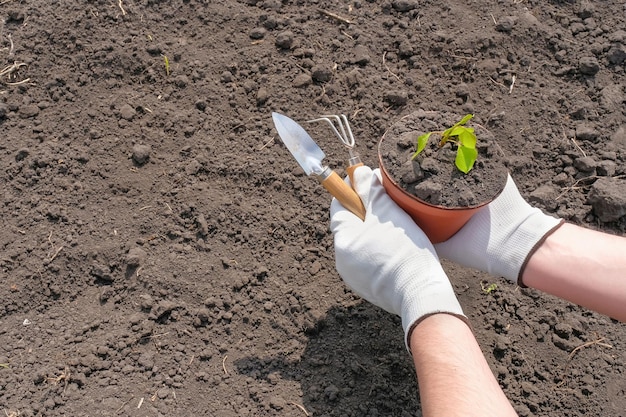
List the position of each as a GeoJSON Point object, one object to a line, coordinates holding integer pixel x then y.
{"type": "Point", "coordinates": [387, 259]}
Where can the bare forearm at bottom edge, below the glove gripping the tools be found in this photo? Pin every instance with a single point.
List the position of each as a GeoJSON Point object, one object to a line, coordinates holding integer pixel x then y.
{"type": "Point", "coordinates": [453, 376]}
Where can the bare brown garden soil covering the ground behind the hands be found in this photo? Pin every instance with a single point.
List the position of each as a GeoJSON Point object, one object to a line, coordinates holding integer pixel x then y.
{"type": "Point", "coordinates": [161, 253]}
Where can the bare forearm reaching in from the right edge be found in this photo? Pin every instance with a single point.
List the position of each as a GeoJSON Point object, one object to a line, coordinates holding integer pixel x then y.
{"type": "Point", "coordinates": [583, 266]}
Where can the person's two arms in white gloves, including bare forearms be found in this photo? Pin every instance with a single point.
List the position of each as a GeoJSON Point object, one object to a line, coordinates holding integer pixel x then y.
{"type": "Point", "coordinates": [386, 258]}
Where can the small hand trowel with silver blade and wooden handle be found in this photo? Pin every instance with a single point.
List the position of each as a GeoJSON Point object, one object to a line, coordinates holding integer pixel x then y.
{"type": "Point", "coordinates": [310, 157]}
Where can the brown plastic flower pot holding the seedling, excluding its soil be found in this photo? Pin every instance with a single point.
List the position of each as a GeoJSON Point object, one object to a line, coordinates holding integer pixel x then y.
{"type": "Point", "coordinates": [439, 222]}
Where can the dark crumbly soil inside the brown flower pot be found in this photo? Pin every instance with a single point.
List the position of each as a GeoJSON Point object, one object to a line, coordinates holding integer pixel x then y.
{"type": "Point", "coordinates": [433, 177]}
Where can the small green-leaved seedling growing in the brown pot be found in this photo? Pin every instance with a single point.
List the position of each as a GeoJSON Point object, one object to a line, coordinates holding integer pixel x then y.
{"type": "Point", "coordinates": [463, 137]}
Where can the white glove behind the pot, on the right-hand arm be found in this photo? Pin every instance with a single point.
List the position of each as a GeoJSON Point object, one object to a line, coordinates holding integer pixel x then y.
{"type": "Point", "coordinates": [501, 237]}
